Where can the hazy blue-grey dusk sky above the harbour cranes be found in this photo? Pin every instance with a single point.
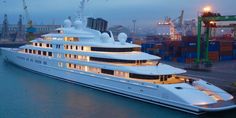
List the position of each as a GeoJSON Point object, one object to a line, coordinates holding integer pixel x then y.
{"type": "Point", "coordinates": [147, 12]}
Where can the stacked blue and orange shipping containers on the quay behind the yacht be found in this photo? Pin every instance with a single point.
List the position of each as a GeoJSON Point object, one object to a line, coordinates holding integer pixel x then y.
{"type": "Point", "coordinates": [185, 51]}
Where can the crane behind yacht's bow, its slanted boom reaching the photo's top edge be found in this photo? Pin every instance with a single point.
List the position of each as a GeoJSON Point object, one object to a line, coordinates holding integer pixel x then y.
{"type": "Point", "coordinates": [30, 29]}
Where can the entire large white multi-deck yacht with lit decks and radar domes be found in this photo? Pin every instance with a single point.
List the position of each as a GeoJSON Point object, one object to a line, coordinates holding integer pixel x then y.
{"type": "Point", "coordinates": [85, 56]}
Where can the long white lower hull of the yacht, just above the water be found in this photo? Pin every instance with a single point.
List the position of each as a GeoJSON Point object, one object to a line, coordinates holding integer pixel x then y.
{"type": "Point", "coordinates": [147, 92]}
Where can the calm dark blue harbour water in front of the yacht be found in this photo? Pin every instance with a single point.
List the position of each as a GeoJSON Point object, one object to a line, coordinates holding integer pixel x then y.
{"type": "Point", "coordinates": [24, 94]}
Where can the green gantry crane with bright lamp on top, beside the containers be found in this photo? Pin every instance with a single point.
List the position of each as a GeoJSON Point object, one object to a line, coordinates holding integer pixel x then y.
{"type": "Point", "coordinates": [209, 19]}
